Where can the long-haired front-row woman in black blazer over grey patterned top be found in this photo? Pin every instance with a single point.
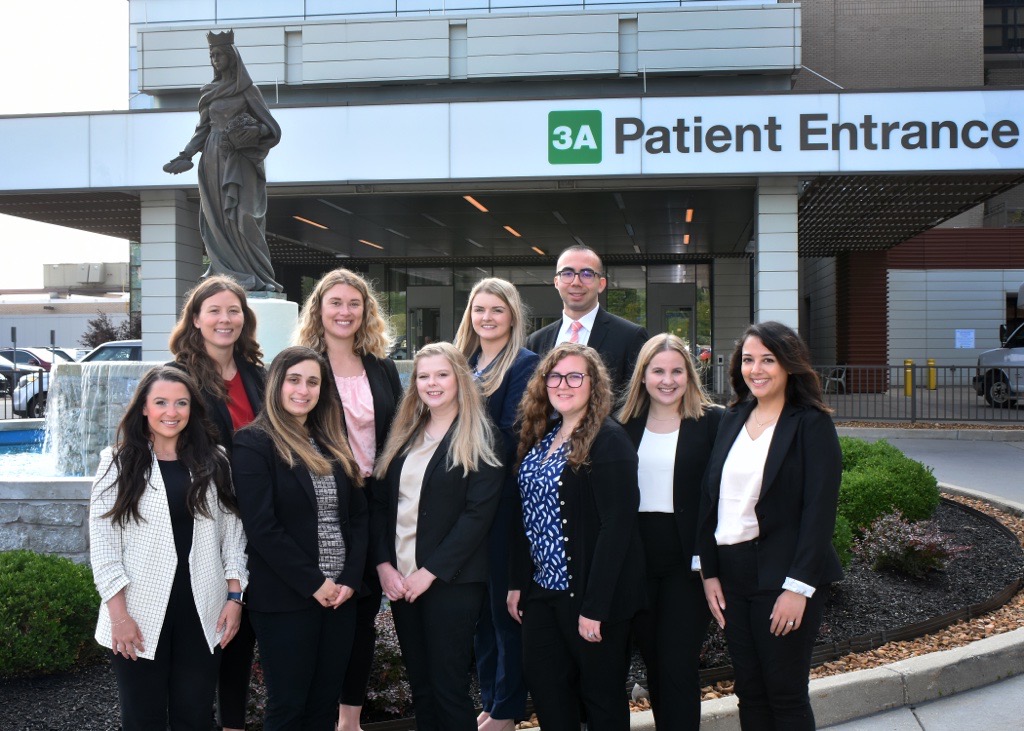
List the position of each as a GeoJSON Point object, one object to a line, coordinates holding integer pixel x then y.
{"type": "Point", "coordinates": [306, 517]}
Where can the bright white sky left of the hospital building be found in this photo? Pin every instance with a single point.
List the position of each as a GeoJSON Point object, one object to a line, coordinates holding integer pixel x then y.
{"type": "Point", "coordinates": [74, 55]}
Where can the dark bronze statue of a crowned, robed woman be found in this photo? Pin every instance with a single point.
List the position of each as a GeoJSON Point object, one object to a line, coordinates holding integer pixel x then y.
{"type": "Point", "coordinates": [235, 134]}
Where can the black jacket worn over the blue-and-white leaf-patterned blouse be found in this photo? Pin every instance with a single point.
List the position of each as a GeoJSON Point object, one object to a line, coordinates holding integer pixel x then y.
{"type": "Point", "coordinates": [600, 520]}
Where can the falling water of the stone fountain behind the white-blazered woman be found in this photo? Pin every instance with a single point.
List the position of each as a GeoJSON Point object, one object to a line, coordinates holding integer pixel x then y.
{"type": "Point", "coordinates": [86, 405]}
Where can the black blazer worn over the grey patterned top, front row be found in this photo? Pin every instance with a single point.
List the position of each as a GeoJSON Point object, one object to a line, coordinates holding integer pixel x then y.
{"type": "Point", "coordinates": [279, 512]}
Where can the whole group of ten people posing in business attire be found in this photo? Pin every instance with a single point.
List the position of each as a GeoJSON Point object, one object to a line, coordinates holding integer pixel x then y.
{"type": "Point", "coordinates": [535, 505]}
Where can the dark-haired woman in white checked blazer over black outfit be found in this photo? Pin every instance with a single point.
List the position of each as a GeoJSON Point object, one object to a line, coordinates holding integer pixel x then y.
{"type": "Point", "coordinates": [168, 555]}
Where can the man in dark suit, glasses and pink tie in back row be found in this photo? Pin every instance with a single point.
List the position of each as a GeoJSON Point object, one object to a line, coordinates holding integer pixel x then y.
{"type": "Point", "coordinates": [580, 279]}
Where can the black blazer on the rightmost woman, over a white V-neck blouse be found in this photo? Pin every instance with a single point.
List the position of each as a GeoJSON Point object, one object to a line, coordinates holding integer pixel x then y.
{"type": "Point", "coordinates": [799, 496]}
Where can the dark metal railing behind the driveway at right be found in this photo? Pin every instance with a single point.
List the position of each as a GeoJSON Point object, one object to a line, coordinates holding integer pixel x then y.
{"type": "Point", "coordinates": [914, 394]}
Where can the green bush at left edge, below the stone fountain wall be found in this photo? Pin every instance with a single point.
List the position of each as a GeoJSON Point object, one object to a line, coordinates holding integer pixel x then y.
{"type": "Point", "coordinates": [49, 609]}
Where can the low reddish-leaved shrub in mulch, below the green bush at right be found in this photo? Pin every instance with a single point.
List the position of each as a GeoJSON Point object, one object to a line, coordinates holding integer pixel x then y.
{"type": "Point", "coordinates": [916, 549]}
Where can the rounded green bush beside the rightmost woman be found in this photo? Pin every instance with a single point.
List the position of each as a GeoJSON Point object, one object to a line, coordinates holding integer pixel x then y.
{"type": "Point", "coordinates": [879, 480]}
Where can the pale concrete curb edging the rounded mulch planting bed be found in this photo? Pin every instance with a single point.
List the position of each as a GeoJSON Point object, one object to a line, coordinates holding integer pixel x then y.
{"type": "Point", "coordinates": [906, 683]}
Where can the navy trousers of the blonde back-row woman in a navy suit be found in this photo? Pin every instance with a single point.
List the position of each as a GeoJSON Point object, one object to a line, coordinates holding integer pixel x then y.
{"type": "Point", "coordinates": [499, 637]}
